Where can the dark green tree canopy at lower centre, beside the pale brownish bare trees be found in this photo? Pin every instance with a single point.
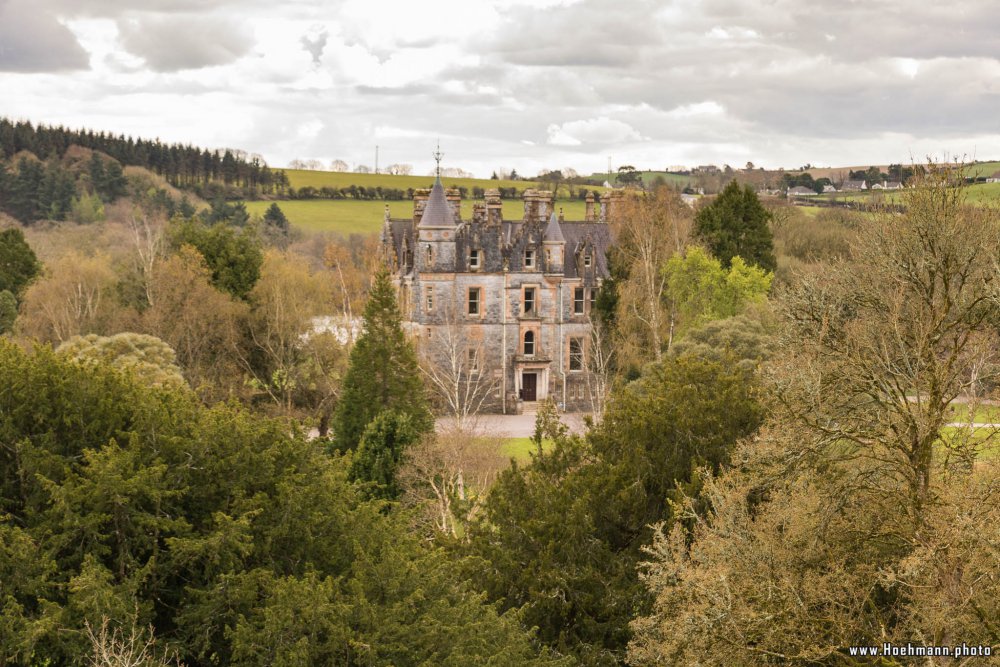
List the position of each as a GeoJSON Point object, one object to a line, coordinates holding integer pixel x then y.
{"type": "Point", "coordinates": [560, 539]}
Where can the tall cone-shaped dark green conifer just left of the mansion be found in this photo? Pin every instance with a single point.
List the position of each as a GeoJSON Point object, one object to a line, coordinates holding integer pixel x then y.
{"type": "Point", "coordinates": [383, 372]}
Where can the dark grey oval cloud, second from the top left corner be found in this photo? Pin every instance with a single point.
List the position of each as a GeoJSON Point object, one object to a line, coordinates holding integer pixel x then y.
{"type": "Point", "coordinates": [170, 43]}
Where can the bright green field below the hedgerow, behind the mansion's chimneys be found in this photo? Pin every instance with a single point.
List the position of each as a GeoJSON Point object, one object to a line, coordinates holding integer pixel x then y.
{"type": "Point", "coordinates": [349, 216]}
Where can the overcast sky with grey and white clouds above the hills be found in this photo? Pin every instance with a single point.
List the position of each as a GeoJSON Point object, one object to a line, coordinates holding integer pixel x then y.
{"type": "Point", "coordinates": [525, 84]}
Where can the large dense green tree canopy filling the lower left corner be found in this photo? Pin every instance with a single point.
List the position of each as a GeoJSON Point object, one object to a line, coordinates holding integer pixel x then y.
{"type": "Point", "coordinates": [233, 538]}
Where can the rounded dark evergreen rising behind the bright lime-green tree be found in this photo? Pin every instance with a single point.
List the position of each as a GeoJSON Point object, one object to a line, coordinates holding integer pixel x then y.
{"type": "Point", "coordinates": [736, 224]}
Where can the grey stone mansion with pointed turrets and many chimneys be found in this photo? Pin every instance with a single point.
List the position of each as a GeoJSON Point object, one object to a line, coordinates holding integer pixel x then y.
{"type": "Point", "coordinates": [518, 292]}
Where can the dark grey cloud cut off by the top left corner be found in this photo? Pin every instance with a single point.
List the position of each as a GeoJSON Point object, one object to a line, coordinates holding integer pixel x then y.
{"type": "Point", "coordinates": [32, 40]}
